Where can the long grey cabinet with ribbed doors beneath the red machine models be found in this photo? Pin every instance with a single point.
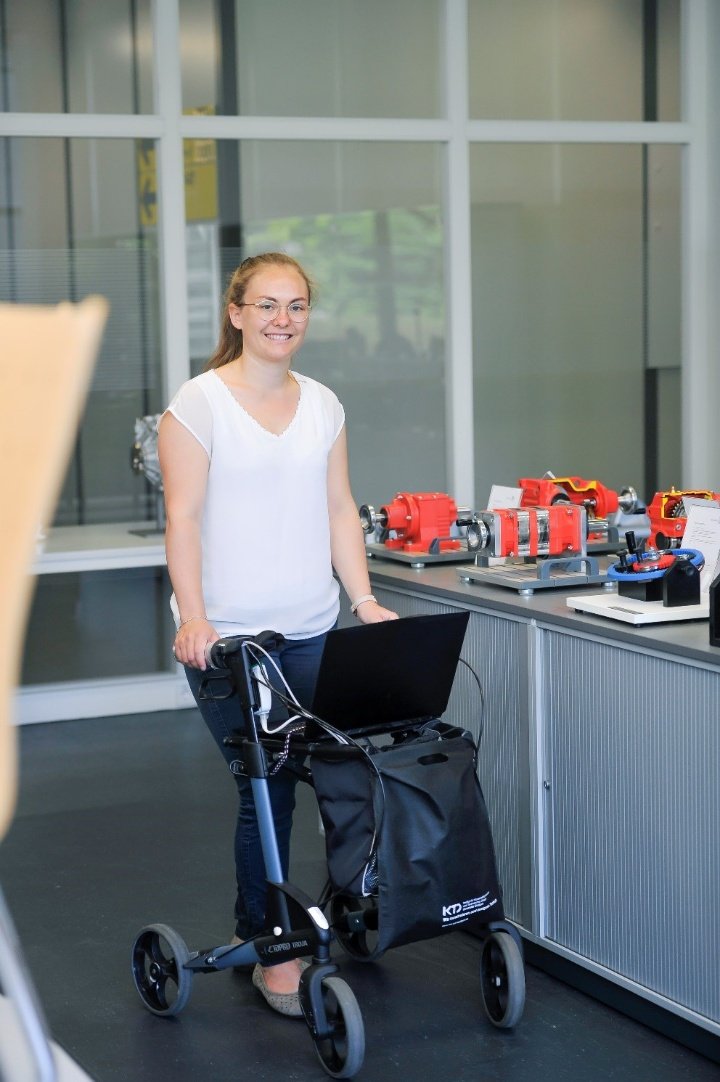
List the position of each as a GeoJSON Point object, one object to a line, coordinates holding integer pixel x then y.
{"type": "Point", "coordinates": [600, 763]}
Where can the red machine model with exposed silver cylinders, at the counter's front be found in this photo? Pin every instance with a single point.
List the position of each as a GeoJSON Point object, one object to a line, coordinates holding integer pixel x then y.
{"type": "Point", "coordinates": [520, 533]}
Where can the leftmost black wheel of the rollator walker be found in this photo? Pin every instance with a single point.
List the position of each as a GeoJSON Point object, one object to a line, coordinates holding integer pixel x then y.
{"type": "Point", "coordinates": [159, 960]}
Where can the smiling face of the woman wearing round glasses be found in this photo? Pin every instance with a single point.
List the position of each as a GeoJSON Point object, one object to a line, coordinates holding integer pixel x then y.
{"type": "Point", "coordinates": [268, 335]}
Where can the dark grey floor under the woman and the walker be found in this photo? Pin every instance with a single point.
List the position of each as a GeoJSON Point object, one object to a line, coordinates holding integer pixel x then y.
{"type": "Point", "coordinates": [124, 822]}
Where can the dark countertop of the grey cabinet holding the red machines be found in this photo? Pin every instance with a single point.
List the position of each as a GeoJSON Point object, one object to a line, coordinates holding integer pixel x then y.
{"type": "Point", "coordinates": [688, 639]}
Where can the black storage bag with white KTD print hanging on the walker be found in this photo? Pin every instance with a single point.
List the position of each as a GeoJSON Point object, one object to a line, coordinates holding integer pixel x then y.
{"type": "Point", "coordinates": [420, 822]}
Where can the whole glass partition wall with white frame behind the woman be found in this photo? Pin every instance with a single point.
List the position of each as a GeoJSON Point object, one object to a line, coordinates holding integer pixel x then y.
{"type": "Point", "coordinates": [488, 194]}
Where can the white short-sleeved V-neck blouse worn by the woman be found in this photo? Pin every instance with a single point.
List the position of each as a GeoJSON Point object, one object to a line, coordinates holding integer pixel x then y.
{"type": "Point", "coordinates": [267, 561]}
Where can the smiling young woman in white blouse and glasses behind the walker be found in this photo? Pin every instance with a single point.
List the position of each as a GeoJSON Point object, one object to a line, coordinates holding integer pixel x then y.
{"type": "Point", "coordinates": [259, 513]}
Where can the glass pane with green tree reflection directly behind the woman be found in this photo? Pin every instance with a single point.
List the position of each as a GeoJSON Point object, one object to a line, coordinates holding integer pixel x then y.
{"type": "Point", "coordinates": [366, 220]}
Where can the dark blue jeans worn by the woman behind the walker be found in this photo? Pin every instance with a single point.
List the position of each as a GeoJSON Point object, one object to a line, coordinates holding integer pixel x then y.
{"type": "Point", "coordinates": [299, 661]}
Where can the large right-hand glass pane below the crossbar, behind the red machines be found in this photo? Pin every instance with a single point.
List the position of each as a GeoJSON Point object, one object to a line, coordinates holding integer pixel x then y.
{"type": "Point", "coordinates": [577, 314]}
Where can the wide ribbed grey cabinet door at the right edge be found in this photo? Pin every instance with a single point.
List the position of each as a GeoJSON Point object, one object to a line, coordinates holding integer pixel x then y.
{"type": "Point", "coordinates": [632, 812]}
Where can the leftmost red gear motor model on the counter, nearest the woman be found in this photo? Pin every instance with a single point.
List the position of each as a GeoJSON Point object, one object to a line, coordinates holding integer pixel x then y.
{"type": "Point", "coordinates": [418, 522]}
